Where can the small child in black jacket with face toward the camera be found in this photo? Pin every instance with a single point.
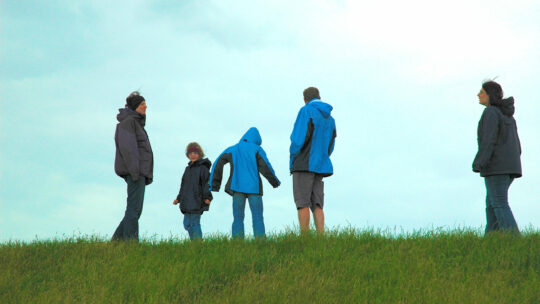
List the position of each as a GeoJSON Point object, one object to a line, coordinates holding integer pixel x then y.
{"type": "Point", "coordinates": [194, 195]}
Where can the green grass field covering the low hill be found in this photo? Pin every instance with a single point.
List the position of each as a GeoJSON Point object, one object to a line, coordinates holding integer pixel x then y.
{"type": "Point", "coordinates": [346, 266]}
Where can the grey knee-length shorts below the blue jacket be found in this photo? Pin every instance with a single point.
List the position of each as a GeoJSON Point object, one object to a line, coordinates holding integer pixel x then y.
{"type": "Point", "coordinates": [308, 190]}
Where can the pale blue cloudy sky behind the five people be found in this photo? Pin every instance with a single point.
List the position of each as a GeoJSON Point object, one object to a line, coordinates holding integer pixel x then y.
{"type": "Point", "coordinates": [402, 77]}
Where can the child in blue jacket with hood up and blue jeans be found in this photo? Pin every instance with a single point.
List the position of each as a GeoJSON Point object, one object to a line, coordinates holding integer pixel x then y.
{"type": "Point", "coordinates": [247, 159]}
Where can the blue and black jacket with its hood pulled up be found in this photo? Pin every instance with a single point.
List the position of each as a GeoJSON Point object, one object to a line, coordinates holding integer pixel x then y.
{"type": "Point", "coordinates": [247, 158]}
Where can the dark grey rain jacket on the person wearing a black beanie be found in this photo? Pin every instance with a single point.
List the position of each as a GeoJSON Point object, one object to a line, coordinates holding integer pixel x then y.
{"type": "Point", "coordinates": [133, 152]}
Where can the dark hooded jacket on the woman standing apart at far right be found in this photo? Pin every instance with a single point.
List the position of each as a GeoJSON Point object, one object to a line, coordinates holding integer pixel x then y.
{"type": "Point", "coordinates": [499, 148]}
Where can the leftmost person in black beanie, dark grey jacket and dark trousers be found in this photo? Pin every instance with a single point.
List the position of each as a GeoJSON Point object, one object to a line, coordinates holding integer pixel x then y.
{"type": "Point", "coordinates": [134, 162]}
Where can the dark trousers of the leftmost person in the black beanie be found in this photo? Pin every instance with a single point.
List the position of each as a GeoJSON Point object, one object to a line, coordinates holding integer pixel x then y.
{"type": "Point", "coordinates": [128, 229]}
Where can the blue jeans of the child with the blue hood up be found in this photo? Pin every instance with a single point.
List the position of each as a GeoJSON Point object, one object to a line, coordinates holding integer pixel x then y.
{"type": "Point", "coordinates": [239, 205]}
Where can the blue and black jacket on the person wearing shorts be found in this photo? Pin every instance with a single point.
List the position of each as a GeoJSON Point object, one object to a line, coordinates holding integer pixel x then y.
{"type": "Point", "coordinates": [312, 139]}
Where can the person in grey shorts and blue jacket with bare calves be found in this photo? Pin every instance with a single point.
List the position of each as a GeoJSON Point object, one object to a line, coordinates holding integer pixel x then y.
{"type": "Point", "coordinates": [312, 143]}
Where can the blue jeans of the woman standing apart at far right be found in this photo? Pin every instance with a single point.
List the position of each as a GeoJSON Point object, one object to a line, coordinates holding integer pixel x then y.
{"type": "Point", "coordinates": [498, 213]}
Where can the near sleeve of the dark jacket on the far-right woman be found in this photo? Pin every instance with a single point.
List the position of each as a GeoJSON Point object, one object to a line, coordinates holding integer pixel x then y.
{"type": "Point", "coordinates": [487, 138]}
